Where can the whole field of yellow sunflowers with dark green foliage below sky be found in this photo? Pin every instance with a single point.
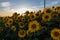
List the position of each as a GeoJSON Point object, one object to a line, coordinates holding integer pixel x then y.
{"type": "Point", "coordinates": [40, 25]}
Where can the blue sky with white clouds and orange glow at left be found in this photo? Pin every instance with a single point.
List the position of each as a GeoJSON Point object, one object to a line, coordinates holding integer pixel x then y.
{"type": "Point", "coordinates": [8, 7]}
